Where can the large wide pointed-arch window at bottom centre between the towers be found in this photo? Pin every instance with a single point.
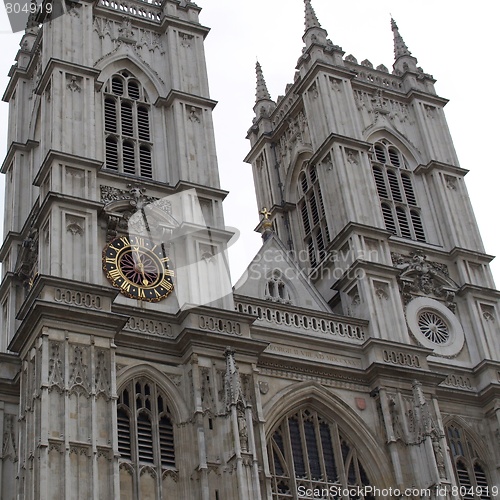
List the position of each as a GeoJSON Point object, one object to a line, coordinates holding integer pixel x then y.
{"type": "Point", "coordinates": [308, 451]}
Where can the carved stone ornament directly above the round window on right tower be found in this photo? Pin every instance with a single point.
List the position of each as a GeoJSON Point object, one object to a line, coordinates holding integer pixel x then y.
{"type": "Point", "coordinates": [419, 276]}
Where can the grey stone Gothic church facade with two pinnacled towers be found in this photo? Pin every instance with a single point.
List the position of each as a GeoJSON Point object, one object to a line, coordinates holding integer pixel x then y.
{"type": "Point", "coordinates": [360, 349]}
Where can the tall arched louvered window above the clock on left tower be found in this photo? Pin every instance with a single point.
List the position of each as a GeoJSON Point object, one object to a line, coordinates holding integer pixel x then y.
{"type": "Point", "coordinates": [127, 128]}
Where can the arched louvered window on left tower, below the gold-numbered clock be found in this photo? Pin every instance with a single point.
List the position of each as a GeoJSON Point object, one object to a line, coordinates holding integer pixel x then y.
{"type": "Point", "coordinates": [145, 430]}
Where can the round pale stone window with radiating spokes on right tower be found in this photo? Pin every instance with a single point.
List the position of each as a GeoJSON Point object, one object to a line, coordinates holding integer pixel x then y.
{"type": "Point", "coordinates": [434, 326]}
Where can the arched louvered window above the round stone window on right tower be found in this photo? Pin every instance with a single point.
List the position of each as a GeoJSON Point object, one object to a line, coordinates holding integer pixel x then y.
{"type": "Point", "coordinates": [395, 190]}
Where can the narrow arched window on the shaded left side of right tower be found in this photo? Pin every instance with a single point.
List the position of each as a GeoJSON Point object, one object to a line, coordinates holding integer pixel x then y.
{"type": "Point", "coordinates": [312, 213]}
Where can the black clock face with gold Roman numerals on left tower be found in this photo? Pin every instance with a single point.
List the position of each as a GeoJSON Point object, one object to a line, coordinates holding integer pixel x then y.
{"type": "Point", "coordinates": [138, 267]}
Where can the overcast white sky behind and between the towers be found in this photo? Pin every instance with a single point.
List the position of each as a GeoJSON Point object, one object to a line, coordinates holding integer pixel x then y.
{"type": "Point", "coordinates": [454, 42]}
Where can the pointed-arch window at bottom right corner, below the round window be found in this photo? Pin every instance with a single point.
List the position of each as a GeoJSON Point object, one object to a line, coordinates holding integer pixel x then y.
{"type": "Point", "coordinates": [470, 471]}
